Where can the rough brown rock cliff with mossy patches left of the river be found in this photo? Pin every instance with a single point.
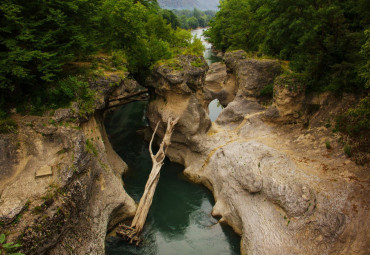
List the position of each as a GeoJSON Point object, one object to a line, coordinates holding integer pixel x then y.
{"type": "Point", "coordinates": [61, 186]}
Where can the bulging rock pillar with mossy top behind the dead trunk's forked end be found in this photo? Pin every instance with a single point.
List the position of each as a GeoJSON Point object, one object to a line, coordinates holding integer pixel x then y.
{"type": "Point", "coordinates": [180, 93]}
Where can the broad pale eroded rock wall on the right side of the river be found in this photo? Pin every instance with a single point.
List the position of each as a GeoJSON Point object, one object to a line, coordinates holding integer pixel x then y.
{"type": "Point", "coordinates": [275, 184]}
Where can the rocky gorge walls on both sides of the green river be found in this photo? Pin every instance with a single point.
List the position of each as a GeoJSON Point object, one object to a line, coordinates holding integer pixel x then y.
{"type": "Point", "coordinates": [274, 182]}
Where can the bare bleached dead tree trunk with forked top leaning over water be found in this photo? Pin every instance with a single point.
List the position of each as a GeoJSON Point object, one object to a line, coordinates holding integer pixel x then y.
{"type": "Point", "coordinates": [133, 232]}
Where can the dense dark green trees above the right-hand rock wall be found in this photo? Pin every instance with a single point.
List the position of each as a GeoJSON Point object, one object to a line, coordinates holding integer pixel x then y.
{"type": "Point", "coordinates": [326, 41]}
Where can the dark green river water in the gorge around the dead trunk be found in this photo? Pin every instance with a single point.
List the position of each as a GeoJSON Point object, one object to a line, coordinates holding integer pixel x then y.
{"type": "Point", "coordinates": [179, 221]}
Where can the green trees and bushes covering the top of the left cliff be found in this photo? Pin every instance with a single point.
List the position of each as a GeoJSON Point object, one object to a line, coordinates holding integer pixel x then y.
{"type": "Point", "coordinates": [43, 43]}
